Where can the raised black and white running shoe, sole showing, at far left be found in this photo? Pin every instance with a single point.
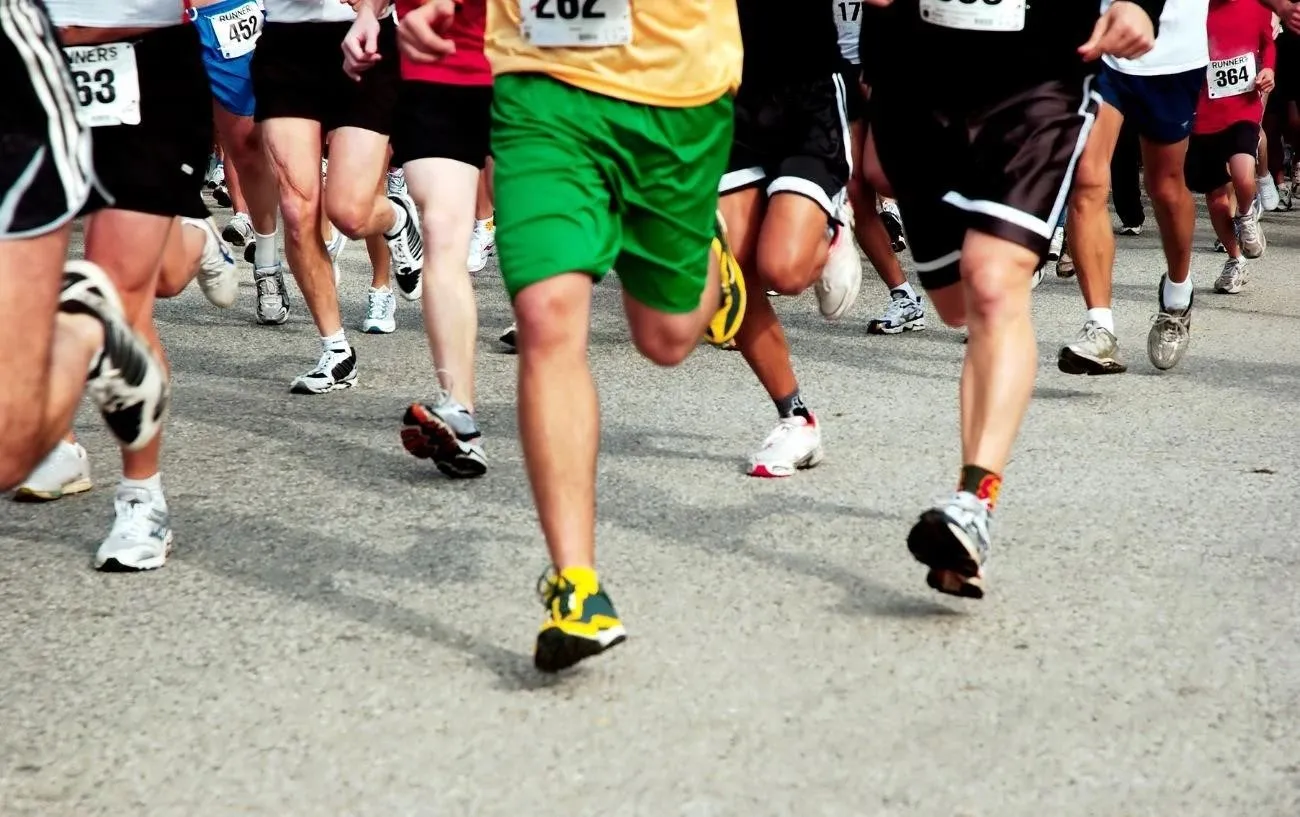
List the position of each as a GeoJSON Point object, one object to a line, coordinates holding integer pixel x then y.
{"type": "Point", "coordinates": [127, 381]}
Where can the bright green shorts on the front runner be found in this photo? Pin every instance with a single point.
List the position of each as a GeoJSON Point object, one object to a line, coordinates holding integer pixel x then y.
{"type": "Point", "coordinates": [590, 184]}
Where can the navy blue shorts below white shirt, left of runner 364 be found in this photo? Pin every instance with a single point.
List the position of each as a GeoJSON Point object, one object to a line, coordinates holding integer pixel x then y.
{"type": "Point", "coordinates": [1162, 109]}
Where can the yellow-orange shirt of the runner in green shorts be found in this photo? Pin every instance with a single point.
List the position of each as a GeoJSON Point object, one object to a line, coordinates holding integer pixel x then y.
{"type": "Point", "coordinates": [683, 53]}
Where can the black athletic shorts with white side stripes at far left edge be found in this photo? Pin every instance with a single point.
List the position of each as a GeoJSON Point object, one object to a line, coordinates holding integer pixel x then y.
{"type": "Point", "coordinates": [46, 168]}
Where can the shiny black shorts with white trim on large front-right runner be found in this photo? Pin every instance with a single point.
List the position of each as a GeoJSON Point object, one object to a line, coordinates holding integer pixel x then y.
{"type": "Point", "coordinates": [1007, 168]}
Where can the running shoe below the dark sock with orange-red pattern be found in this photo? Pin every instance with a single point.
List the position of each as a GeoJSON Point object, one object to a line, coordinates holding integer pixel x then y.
{"type": "Point", "coordinates": [952, 541]}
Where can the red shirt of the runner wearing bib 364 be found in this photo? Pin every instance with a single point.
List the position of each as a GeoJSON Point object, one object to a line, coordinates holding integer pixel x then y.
{"type": "Point", "coordinates": [1237, 28]}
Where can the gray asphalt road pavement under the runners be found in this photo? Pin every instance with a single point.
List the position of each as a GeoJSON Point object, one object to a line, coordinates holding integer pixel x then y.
{"type": "Point", "coordinates": [344, 632]}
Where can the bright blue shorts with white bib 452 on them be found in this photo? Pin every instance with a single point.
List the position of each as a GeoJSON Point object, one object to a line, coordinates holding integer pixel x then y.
{"type": "Point", "coordinates": [231, 28]}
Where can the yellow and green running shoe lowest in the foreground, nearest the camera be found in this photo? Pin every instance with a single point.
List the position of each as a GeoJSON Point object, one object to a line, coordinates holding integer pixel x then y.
{"type": "Point", "coordinates": [580, 620]}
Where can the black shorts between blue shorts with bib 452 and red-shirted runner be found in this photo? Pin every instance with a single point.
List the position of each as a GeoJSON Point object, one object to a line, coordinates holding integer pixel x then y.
{"type": "Point", "coordinates": [298, 75]}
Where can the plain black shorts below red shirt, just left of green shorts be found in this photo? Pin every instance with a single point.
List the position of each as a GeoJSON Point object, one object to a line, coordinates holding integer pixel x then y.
{"type": "Point", "coordinates": [443, 122]}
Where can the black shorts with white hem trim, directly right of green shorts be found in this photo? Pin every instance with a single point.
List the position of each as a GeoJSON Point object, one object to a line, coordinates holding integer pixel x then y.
{"type": "Point", "coordinates": [792, 139]}
